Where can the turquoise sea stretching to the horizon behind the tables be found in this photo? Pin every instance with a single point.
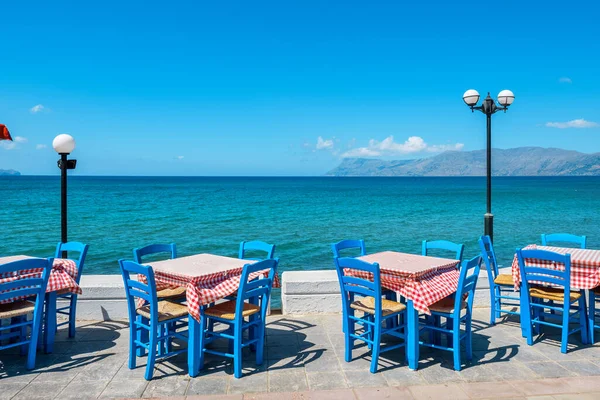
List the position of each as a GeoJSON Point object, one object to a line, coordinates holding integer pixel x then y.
{"type": "Point", "coordinates": [302, 216]}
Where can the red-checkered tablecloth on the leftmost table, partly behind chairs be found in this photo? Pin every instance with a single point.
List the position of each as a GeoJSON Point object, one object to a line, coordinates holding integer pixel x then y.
{"type": "Point", "coordinates": [62, 277]}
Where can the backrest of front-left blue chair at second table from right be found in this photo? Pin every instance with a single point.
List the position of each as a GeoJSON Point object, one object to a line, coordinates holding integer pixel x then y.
{"type": "Point", "coordinates": [352, 285]}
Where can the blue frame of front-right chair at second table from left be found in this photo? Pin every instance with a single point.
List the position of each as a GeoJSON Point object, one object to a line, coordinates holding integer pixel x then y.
{"type": "Point", "coordinates": [256, 291]}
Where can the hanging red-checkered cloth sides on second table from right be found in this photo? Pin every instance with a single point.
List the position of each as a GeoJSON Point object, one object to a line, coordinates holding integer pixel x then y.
{"type": "Point", "coordinates": [424, 288]}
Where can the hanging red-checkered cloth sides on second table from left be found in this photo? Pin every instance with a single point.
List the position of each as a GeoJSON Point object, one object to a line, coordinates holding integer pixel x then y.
{"type": "Point", "coordinates": [206, 289]}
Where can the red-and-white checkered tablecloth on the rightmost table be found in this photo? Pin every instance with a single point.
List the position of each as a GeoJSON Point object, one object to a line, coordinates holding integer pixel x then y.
{"type": "Point", "coordinates": [585, 266]}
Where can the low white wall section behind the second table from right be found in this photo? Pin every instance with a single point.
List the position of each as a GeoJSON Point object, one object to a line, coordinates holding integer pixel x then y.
{"type": "Point", "coordinates": [318, 292]}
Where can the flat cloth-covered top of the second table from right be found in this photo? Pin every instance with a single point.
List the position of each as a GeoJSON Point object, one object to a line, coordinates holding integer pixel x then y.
{"type": "Point", "coordinates": [407, 263]}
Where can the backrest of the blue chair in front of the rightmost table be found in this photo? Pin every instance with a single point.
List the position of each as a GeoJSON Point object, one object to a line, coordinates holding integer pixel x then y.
{"type": "Point", "coordinates": [556, 269]}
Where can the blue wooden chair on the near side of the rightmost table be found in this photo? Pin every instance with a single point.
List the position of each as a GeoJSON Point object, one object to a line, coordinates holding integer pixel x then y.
{"type": "Point", "coordinates": [536, 299]}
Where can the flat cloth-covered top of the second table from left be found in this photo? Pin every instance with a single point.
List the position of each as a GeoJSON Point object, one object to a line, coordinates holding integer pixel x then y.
{"type": "Point", "coordinates": [199, 265]}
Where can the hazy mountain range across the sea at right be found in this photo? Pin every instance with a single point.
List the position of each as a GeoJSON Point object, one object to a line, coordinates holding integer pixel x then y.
{"type": "Point", "coordinates": [521, 161]}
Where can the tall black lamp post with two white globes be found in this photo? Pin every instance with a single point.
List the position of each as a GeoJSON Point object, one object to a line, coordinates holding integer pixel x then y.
{"type": "Point", "coordinates": [489, 107]}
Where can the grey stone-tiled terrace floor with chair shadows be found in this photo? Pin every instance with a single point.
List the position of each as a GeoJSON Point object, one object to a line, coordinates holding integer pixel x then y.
{"type": "Point", "coordinates": [305, 355]}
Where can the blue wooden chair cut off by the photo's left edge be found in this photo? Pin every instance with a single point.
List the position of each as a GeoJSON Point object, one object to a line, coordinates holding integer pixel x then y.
{"type": "Point", "coordinates": [31, 287]}
